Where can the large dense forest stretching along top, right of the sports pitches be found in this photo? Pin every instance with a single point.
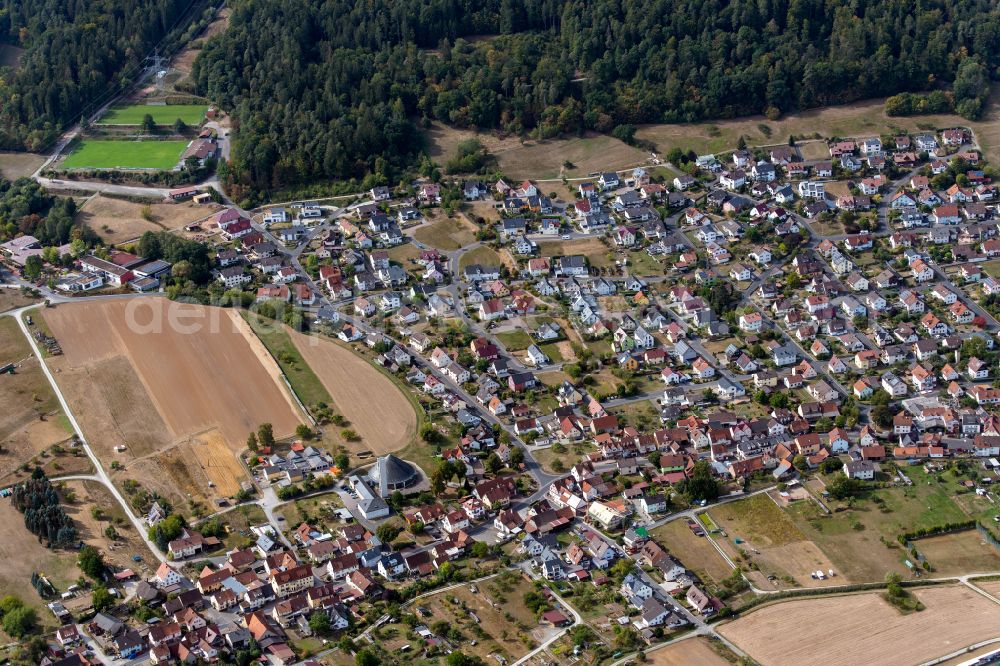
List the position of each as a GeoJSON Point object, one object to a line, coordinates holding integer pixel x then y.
{"type": "Point", "coordinates": [330, 90]}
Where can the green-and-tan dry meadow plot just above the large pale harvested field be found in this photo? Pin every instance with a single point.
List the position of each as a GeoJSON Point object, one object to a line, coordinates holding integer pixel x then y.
{"type": "Point", "coordinates": [758, 531]}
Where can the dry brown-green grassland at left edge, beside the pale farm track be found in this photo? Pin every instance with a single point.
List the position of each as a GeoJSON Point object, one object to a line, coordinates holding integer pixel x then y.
{"type": "Point", "coordinates": [31, 421]}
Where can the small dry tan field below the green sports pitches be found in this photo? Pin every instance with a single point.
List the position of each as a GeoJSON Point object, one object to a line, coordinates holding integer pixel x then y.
{"type": "Point", "coordinates": [119, 221]}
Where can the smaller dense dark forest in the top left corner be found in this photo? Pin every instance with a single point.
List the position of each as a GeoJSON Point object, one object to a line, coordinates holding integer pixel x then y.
{"type": "Point", "coordinates": [76, 52]}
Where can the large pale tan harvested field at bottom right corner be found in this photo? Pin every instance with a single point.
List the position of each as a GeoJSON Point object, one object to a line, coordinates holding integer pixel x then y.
{"type": "Point", "coordinates": [865, 629]}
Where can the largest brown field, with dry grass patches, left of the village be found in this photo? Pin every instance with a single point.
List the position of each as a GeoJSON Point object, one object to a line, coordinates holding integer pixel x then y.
{"type": "Point", "coordinates": [180, 386]}
